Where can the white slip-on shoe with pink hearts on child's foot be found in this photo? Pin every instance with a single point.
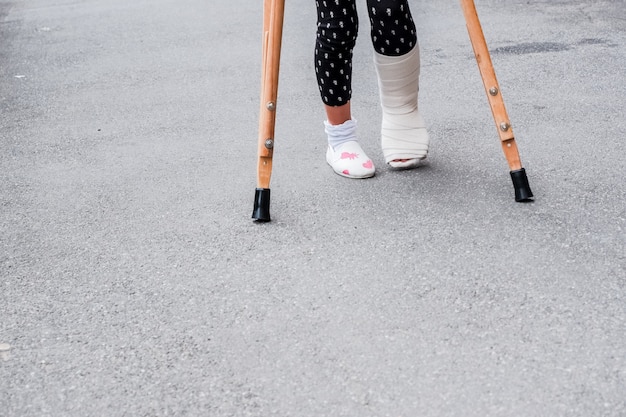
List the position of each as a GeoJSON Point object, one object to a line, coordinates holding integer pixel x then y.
{"type": "Point", "coordinates": [349, 160]}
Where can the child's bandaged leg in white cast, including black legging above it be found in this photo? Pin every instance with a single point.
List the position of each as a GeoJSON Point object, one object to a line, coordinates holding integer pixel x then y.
{"type": "Point", "coordinates": [404, 137]}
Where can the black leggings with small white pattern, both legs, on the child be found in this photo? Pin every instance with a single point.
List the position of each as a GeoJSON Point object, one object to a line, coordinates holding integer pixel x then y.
{"type": "Point", "coordinates": [393, 34]}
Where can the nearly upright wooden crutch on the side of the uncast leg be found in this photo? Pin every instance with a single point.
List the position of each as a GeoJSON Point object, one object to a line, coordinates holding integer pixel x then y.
{"type": "Point", "coordinates": [273, 13]}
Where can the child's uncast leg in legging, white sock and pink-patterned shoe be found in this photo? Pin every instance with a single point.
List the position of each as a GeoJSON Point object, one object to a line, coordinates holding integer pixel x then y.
{"type": "Point", "coordinates": [337, 28]}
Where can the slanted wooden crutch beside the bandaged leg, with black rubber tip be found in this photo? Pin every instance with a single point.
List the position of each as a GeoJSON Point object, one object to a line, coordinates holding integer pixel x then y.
{"type": "Point", "coordinates": [503, 124]}
